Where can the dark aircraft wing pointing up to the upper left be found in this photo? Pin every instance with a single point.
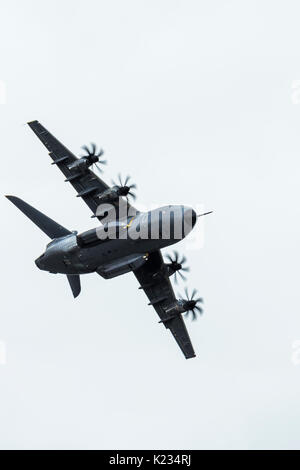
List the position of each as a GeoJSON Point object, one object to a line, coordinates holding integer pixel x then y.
{"type": "Point", "coordinates": [86, 184]}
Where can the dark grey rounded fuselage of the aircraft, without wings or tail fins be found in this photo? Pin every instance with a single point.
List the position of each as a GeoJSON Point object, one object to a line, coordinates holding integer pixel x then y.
{"type": "Point", "coordinates": [129, 241]}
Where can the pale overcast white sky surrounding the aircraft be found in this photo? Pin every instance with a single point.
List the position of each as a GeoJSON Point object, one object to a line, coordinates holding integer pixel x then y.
{"type": "Point", "coordinates": [200, 103]}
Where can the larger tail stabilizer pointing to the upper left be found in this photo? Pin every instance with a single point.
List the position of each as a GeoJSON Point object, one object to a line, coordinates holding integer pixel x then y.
{"type": "Point", "coordinates": [47, 225]}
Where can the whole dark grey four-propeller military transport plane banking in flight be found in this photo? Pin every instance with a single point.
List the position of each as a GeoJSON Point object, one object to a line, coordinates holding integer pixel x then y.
{"type": "Point", "coordinates": [127, 240]}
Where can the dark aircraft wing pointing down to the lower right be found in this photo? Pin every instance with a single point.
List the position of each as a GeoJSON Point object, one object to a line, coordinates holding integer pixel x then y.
{"type": "Point", "coordinates": [158, 288]}
